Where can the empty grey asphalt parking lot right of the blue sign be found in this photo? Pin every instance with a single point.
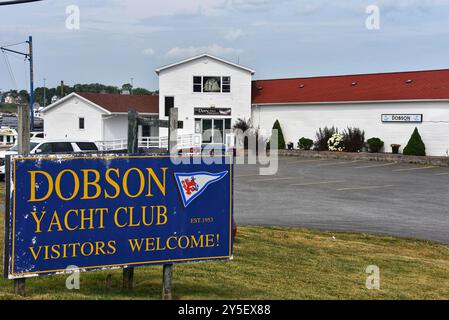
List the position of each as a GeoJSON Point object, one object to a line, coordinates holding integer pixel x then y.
{"type": "Point", "coordinates": [376, 197]}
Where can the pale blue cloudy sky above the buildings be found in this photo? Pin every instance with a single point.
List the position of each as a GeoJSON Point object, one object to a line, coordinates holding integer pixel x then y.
{"type": "Point", "coordinates": [122, 39]}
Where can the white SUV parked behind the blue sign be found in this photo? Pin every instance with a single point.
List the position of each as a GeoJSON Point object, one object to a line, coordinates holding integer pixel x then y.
{"type": "Point", "coordinates": [40, 146]}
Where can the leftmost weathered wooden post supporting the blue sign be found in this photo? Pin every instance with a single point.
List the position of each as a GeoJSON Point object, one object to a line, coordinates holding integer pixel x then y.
{"type": "Point", "coordinates": [23, 148]}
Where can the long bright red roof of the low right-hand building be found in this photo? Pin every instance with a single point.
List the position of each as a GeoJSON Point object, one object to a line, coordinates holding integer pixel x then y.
{"type": "Point", "coordinates": [416, 85]}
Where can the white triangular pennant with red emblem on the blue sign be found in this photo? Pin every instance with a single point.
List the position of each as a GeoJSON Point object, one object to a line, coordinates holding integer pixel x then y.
{"type": "Point", "coordinates": [192, 185]}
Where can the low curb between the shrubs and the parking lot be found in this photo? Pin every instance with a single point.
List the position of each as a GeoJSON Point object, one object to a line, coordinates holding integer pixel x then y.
{"type": "Point", "coordinates": [381, 157]}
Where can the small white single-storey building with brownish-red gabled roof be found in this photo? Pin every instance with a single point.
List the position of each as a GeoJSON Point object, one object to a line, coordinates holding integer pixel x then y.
{"type": "Point", "coordinates": [97, 116]}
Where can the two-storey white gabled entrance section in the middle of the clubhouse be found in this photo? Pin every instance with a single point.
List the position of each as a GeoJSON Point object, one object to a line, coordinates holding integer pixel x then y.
{"type": "Point", "coordinates": [210, 94]}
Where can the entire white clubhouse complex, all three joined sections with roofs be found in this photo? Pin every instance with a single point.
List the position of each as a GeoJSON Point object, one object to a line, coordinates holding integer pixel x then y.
{"type": "Point", "coordinates": [212, 94]}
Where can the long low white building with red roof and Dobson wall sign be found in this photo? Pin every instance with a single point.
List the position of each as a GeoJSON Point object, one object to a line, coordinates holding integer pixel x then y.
{"type": "Point", "coordinates": [388, 106]}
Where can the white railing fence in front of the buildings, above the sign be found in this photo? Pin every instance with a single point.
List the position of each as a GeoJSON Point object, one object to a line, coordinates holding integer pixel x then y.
{"type": "Point", "coordinates": [186, 141]}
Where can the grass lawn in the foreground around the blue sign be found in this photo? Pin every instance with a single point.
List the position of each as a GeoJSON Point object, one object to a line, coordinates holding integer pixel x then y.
{"type": "Point", "coordinates": [277, 263]}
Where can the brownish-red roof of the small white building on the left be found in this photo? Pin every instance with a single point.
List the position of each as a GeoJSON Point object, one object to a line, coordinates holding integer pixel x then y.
{"type": "Point", "coordinates": [115, 103]}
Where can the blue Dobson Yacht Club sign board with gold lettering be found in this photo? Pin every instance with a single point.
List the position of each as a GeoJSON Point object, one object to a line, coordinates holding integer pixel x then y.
{"type": "Point", "coordinates": [96, 212]}
